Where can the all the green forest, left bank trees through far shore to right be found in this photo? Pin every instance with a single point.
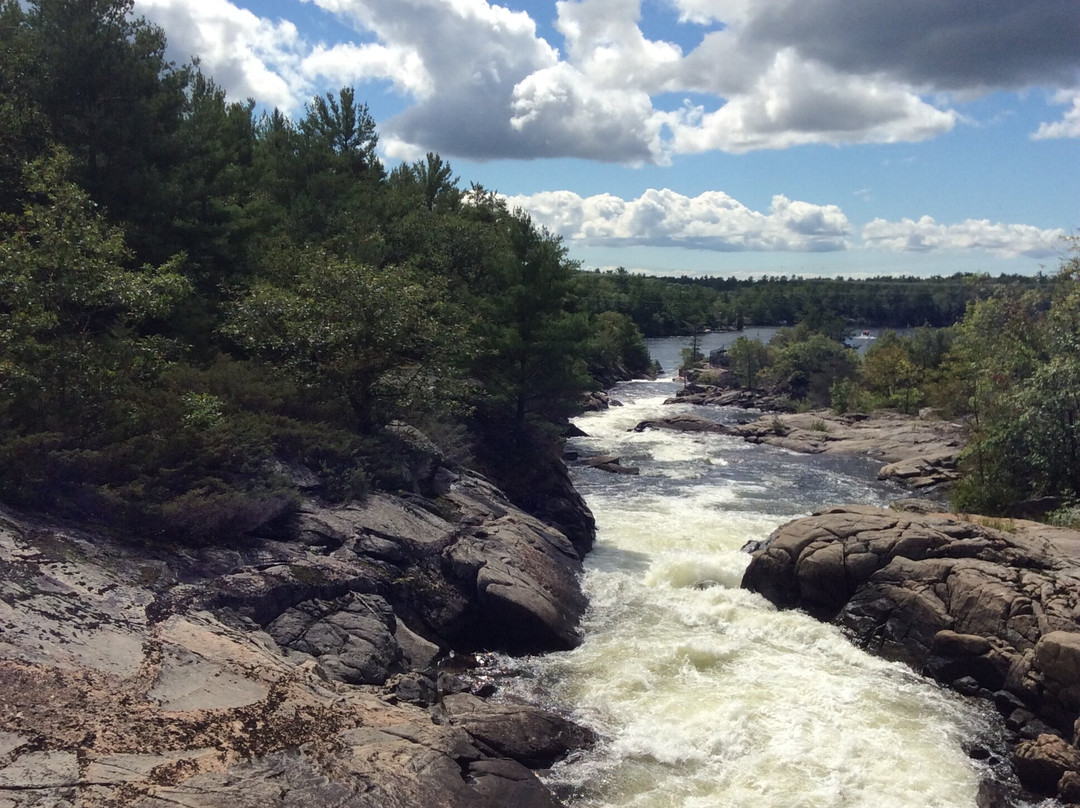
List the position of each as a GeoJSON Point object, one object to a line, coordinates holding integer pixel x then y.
{"type": "Point", "coordinates": [199, 299]}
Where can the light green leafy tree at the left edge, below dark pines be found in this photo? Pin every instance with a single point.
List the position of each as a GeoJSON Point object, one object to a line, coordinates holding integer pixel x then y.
{"type": "Point", "coordinates": [71, 305]}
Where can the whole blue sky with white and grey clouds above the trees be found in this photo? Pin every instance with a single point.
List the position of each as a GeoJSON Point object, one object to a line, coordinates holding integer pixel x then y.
{"type": "Point", "coordinates": [732, 138]}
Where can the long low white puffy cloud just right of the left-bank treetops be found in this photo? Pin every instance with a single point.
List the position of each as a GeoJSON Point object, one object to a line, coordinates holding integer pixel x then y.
{"type": "Point", "coordinates": [712, 221]}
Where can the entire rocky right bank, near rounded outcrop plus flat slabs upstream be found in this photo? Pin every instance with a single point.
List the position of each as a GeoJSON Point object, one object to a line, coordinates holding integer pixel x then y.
{"type": "Point", "coordinates": [988, 608]}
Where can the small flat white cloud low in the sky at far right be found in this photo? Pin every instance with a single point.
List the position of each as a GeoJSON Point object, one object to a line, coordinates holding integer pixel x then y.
{"type": "Point", "coordinates": [926, 236]}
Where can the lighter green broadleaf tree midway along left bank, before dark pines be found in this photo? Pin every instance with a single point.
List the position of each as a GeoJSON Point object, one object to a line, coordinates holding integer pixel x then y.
{"type": "Point", "coordinates": [383, 341]}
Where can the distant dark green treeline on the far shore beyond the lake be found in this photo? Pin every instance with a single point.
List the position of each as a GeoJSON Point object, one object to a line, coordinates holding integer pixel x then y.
{"type": "Point", "coordinates": [672, 306]}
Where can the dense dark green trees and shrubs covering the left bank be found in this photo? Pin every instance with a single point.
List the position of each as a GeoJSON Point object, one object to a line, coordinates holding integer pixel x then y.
{"type": "Point", "coordinates": [199, 308]}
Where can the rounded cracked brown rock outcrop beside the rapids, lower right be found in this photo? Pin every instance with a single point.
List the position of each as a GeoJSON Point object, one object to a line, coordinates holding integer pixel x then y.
{"type": "Point", "coordinates": [991, 608]}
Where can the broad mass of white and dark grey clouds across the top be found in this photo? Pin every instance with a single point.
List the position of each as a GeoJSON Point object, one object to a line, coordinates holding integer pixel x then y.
{"type": "Point", "coordinates": [482, 83]}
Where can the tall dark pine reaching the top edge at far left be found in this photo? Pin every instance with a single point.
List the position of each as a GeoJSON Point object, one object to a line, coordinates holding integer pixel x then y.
{"type": "Point", "coordinates": [113, 101]}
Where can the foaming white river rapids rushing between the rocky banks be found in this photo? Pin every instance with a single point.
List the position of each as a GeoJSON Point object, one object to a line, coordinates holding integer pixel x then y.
{"type": "Point", "coordinates": [705, 695]}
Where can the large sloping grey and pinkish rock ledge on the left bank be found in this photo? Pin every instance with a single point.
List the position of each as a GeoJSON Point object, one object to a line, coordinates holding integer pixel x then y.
{"type": "Point", "coordinates": [283, 674]}
